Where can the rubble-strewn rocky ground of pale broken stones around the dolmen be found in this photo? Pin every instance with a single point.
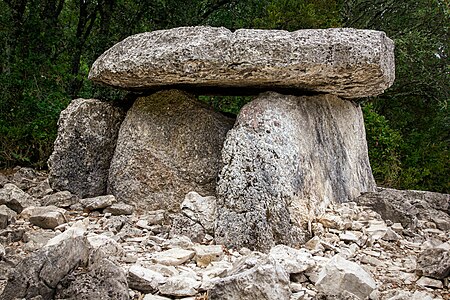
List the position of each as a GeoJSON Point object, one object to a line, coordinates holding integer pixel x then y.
{"type": "Point", "coordinates": [54, 245]}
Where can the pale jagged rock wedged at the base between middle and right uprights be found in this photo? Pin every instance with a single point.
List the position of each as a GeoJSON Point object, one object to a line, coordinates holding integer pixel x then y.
{"type": "Point", "coordinates": [200, 209]}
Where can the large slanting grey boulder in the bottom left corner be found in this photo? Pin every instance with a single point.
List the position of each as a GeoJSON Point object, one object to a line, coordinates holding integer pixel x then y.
{"type": "Point", "coordinates": [40, 273]}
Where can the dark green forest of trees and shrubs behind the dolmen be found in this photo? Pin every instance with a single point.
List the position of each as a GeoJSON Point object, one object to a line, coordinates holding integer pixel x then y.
{"type": "Point", "coordinates": [48, 46]}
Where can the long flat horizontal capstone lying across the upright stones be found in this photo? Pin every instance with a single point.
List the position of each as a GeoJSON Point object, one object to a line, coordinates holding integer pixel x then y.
{"type": "Point", "coordinates": [346, 62]}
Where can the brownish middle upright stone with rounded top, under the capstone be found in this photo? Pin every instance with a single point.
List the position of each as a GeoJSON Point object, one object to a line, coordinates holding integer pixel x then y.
{"type": "Point", "coordinates": [169, 144]}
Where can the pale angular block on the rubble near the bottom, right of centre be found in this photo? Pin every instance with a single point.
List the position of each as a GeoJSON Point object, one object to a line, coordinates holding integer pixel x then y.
{"type": "Point", "coordinates": [340, 275]}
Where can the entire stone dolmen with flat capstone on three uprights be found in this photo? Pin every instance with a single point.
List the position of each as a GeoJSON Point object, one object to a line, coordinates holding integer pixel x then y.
{"type": "Point", "coordinates": [298, 146]}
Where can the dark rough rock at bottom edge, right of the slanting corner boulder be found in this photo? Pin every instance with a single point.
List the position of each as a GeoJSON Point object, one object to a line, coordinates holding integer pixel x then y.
{"type": "Point", "coordinates": [103, 280]}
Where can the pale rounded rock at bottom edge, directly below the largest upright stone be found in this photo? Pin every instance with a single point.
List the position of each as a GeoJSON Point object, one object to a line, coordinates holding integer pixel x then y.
{"type": "Point", "coordinates": [252, 277]}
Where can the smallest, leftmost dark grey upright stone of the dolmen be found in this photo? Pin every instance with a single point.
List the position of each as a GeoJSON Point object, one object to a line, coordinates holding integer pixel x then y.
{"type": "Point", "coordinates": [87, 133]}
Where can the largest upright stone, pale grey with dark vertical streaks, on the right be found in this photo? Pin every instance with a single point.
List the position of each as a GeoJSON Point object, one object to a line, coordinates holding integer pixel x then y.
{"type": "Point", "coordinates": [284, 161]}
